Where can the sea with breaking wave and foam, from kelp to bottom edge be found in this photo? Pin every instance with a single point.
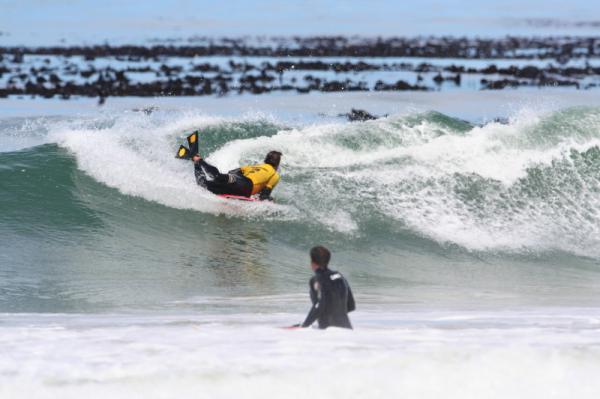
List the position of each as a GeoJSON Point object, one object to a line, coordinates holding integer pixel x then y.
{"type": "Point", "coordinates": [467, 224]}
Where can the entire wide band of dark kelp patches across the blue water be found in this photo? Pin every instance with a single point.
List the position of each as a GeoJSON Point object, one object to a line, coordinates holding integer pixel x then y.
{"type": "Point", "coordinates": [299, 65]}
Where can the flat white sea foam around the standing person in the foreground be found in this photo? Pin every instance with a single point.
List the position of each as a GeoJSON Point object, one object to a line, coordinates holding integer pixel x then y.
{"type": "Point", "coordinates": [531, 354]}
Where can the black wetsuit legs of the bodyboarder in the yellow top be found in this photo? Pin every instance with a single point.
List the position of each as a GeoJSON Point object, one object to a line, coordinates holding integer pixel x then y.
{"type": "Point", "coordinates": [232, 183]}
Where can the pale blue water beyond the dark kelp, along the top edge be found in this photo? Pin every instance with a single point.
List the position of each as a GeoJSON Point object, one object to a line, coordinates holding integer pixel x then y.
{"type": "Point", "coordinates": [38, 23]}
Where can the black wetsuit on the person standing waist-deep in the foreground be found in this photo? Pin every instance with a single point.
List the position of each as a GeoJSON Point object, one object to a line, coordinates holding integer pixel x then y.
{"type": "Point", "coordinates": [332, 299]}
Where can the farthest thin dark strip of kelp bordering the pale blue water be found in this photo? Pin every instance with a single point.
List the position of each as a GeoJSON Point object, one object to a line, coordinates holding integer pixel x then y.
{"type": "Point", "coordinates": [509, 47]}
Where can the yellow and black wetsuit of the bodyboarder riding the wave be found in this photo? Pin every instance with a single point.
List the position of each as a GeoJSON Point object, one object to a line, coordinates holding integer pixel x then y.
{"type": "Point", "coordinates": [245, 181]}
